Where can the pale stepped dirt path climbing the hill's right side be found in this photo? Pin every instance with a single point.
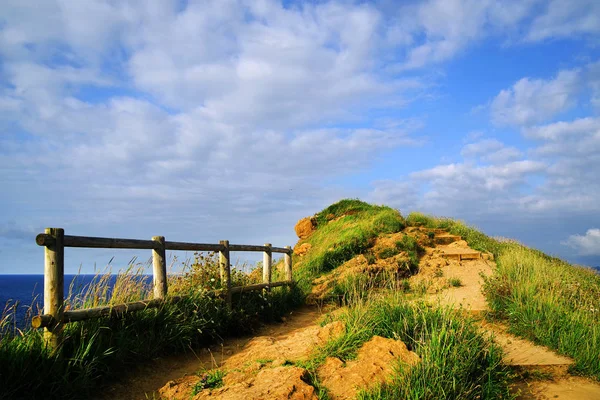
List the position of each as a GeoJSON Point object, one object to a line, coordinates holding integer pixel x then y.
{"type": "Point", "coordinates": [553, 380]}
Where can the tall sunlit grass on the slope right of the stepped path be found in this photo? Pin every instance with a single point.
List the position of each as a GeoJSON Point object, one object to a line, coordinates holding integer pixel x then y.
{"type": "Point", "coordinates": [550, 302]}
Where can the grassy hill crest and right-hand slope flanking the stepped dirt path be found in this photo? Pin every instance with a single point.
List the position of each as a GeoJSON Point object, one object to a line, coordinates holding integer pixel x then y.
{"type": "Point", "coordinates": [542, 298]}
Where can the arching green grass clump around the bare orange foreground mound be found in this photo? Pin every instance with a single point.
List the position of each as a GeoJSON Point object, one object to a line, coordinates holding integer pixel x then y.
{"type": "Point", "coordinates": [457, 361]}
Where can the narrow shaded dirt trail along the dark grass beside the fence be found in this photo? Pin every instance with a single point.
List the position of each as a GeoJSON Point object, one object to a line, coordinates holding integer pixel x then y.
{"type": "Point", "coordinates": [148, 379]}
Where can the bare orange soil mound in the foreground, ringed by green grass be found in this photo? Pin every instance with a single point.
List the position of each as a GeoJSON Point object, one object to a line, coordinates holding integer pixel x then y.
{"type": "Point", "coordinates": [374, 364]}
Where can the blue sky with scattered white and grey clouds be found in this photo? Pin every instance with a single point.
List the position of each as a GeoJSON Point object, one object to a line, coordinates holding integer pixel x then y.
{"type": "Point", "coordinates": [210, 120]}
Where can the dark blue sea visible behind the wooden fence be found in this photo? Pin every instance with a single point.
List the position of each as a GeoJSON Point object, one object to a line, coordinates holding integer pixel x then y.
{"type": "Point", "coordinates": [26, 292]}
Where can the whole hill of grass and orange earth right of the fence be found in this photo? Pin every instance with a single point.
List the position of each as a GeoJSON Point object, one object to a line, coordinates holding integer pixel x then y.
{"type": "Point", "coordinates": [429, 309]}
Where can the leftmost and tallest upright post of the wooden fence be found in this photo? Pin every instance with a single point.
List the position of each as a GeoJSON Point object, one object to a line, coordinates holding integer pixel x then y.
{"type": "Point", "coordinates": [54, 286]}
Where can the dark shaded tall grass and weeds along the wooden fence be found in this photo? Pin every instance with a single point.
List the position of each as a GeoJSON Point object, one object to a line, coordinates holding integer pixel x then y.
{"type": "Point", "coordinates": [95, 351]}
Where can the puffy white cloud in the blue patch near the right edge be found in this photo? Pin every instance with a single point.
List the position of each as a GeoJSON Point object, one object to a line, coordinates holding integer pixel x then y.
{"type": "Point", "coordinates": [531, 101]}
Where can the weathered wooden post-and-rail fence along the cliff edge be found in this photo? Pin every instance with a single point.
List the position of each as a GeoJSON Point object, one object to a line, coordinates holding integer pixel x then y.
{"type": "Point", "coordinates": [54, 240]}
